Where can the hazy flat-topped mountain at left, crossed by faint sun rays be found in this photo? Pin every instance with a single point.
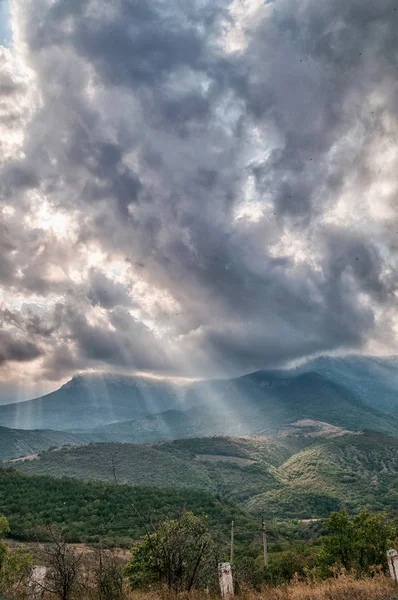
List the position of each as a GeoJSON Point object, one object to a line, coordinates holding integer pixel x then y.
{"type": "Point", "coordinates": [91, 400]}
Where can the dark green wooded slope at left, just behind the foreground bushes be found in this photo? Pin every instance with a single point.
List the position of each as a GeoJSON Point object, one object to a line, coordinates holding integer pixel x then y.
{"type": "Point", "coordinates": [97, 511]}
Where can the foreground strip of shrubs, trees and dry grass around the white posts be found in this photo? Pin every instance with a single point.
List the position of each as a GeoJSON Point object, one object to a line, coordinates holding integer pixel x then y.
{"type": "Point", "coordinates": [179, 557]}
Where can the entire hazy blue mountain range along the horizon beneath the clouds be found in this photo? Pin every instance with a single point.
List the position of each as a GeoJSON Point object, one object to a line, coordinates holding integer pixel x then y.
{"type": "Point", "coordinates": [354, 392]}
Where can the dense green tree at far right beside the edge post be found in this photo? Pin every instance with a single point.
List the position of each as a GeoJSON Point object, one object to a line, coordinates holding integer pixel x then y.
{"type": "Point", "coordinates": [357, 542]}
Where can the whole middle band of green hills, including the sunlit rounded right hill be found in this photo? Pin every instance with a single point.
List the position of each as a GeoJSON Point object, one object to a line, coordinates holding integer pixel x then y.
{"type": "Point", "coordinates": [305, 472]}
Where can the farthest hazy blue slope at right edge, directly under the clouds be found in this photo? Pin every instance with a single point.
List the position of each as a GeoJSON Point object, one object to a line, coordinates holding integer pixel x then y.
{"type": "Point", "coordinates": [373, 379]}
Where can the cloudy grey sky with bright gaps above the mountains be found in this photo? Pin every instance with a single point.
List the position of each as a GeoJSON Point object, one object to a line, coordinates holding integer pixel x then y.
{"type": "Point", "coordinates": [198, 188]}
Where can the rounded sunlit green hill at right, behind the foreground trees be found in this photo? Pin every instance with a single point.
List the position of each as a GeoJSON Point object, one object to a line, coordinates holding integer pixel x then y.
{"type": "Point", "coordinates": [356, 471]}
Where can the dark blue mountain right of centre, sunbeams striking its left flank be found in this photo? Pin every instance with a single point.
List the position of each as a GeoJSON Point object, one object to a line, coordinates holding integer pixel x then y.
{"type": "Point", "coordinates": [258, 403]}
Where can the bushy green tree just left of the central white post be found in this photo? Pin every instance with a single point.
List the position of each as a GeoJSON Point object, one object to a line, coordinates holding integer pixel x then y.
{"type": "Point", "coordinates": [180, 554]}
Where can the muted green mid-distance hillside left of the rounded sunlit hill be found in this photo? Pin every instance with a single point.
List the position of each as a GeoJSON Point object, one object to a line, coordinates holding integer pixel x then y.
{"type": "Point", "coordinates": [236, 468]}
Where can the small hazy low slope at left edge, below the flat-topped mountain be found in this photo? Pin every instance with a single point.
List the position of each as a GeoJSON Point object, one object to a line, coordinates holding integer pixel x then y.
{"type": "Point", "coordinates": [17, 442]}
